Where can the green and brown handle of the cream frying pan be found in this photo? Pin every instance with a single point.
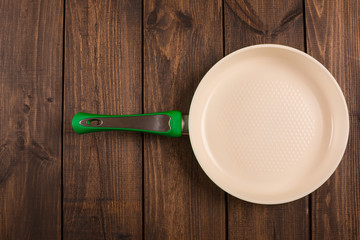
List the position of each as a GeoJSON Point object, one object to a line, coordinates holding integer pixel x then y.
{"type": "Point", "coordinates": [163, 123]}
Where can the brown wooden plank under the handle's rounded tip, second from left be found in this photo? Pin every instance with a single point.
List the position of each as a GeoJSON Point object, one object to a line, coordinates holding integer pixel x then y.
{"type": "Point", "coordinates": [102, 171]}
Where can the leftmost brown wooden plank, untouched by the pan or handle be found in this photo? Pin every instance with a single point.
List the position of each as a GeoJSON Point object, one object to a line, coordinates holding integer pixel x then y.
{"type": "Point", "coordinates": [30, 109]}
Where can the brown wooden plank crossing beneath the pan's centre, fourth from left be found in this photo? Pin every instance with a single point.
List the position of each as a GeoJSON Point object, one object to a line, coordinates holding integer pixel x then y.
{"type": "Point", "coordinates": [254, 22]}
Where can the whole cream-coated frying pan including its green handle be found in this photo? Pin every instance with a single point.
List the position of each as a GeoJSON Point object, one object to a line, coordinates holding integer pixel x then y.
{"type": "Point", "coordinates": [267, 123]}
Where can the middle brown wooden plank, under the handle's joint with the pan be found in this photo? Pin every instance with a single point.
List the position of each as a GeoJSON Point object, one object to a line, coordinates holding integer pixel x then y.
{"type": "Point", "coordinates": [182, 40]}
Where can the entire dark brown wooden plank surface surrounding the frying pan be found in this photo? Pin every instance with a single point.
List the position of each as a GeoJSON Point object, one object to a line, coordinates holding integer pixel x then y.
{"type": "Point", "coordinates": [58, 57]}
